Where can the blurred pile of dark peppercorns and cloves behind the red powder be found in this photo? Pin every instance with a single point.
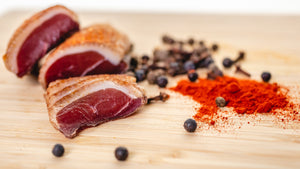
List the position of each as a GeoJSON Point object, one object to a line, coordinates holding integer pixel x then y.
{"type": "Point", "coordinates": [174, 58]}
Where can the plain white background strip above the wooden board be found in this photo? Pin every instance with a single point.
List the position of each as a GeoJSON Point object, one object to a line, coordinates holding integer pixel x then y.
{"type": "Point", "coordinates": [285, 7]}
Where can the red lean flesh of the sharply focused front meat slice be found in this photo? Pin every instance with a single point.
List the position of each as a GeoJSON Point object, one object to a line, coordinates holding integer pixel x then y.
{"type": "Point", "coordinates": [93, 109]}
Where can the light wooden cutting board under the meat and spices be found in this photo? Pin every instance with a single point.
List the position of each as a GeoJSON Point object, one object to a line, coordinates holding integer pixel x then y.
{"type": "Point", "coordinates": [155, 136]}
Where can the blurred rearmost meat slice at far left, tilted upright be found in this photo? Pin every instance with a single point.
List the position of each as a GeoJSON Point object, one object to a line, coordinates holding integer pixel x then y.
{"type": "Point", "coordinates": [38, 35]}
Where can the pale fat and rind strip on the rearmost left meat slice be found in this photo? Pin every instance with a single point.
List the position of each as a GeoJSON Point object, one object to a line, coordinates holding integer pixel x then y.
{"type": "Point", "coordinates": [19, 40]}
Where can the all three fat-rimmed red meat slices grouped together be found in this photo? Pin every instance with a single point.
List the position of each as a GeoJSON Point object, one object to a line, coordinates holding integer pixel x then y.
{"type": "Point", "coordinates": [86, 99]}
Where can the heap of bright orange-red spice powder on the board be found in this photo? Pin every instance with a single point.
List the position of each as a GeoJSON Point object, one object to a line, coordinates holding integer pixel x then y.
{"type": "Point", "coordinates": [244, 96]}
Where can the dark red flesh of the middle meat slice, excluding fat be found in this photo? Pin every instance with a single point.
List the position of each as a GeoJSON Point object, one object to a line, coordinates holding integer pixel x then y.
{"type": "Point", "coordinates": [81, 64]}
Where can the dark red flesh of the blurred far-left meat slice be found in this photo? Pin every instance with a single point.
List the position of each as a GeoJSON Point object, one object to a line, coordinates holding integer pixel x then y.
{"type": "Point", "coordinates": [45, 37]}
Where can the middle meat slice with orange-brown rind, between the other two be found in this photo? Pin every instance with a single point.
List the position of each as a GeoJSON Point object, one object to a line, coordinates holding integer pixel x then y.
{"type": "Point", "coordinates": [98, 49]}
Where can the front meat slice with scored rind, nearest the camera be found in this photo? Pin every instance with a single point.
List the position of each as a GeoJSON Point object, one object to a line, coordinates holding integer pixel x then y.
{"type": "Point", "coordinates": [76, 103]}
